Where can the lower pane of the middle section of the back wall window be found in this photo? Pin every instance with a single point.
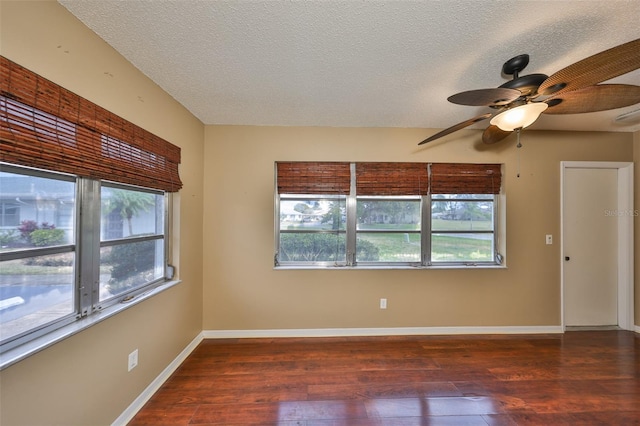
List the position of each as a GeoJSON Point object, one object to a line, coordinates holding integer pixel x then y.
{"type": "Point", "coordinates": [388, 247]}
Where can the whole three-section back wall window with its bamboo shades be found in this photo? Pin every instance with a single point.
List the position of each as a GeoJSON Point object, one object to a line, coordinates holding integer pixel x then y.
{"type": "Point", "coordinates": [387, 214]}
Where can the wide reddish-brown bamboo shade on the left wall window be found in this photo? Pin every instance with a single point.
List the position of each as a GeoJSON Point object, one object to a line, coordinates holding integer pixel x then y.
{"type": "Point", "coordinates": [45, 126]}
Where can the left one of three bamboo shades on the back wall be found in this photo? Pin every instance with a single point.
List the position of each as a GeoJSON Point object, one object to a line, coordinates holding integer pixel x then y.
{"type": "Point", "coordinates": [313, 178]}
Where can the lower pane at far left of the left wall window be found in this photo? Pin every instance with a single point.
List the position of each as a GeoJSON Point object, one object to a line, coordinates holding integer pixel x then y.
{"type": "Point", "coordinates": [35, 291]}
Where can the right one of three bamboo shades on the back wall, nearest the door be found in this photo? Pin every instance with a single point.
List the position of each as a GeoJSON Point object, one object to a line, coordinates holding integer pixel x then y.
{"type": "Point", "coordinates": [458, 178]}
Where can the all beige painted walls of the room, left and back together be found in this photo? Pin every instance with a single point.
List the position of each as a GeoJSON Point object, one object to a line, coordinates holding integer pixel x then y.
{"type": "Point", "coordinates": [83, 380]}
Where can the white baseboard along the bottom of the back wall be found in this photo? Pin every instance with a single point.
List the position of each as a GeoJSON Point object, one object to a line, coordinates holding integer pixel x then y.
{"type": "Point", "coordinates": [394, 331]}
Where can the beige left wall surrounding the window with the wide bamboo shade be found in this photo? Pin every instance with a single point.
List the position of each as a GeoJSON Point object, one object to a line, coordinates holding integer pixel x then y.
{"type": "Point", "coordinates": [84, 380]}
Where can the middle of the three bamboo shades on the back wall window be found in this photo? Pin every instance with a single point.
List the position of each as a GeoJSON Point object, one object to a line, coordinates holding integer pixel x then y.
{"type": "Point", "coordinates": [392, 179]}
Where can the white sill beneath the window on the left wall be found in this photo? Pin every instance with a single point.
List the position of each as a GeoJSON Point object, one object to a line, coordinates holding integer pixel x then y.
{"type": "Point", "coordinates": [27, 349]}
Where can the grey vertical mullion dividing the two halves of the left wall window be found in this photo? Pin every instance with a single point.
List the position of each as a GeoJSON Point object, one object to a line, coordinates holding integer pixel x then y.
{"type": "Point", "coordinates": [89, 247]}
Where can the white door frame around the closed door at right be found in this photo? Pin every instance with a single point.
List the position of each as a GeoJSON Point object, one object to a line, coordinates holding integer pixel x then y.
{"type": "Point", "coordinates": [626, 214]}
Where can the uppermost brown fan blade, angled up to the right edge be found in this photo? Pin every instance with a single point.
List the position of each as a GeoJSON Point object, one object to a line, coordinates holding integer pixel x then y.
{"type": "Point", "coordinates": [594, 69]}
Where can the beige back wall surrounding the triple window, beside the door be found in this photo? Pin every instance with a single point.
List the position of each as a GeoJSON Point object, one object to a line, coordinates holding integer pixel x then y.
{"type": "Point", "coordinates": [242, 291]}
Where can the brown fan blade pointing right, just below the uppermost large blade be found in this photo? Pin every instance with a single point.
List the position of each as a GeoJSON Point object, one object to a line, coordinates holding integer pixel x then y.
{"type": "Point", "coordinates": [601, 97]}
